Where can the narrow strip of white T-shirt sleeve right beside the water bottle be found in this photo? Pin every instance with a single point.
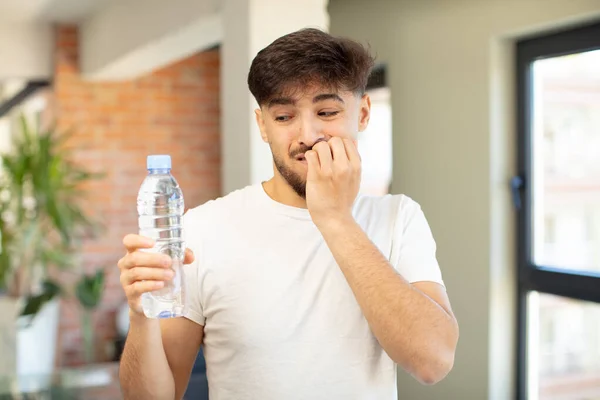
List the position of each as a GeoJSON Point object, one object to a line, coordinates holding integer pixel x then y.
{"type": "Point", "coordinates": [193, 309]}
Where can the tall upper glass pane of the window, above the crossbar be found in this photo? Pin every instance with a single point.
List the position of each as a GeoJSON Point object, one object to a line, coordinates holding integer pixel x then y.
{"type": "Point", "coordinates": [566, 162]}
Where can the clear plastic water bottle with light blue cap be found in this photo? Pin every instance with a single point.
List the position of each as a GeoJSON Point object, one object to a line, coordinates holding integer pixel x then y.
{"type": "Point", "coordinates": [160, 210]}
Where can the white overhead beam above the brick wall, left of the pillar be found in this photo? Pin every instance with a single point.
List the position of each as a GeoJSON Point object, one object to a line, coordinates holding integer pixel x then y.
{"type": "Point", "coordinates": [126, 39]}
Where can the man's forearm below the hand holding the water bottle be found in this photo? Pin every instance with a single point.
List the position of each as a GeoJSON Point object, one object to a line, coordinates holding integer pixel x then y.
{"type": "Point", "coordinates": [144, 370]}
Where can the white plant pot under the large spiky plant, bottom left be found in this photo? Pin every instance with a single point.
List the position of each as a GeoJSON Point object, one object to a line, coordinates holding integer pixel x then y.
{"type": "Point", "coordinates": [29, 345]}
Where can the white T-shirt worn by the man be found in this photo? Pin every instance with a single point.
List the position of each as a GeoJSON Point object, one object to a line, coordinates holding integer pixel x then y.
{"type": "Point", "coordinates": [280, 321]}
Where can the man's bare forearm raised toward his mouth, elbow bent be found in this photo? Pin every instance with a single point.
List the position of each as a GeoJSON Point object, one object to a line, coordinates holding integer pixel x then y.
{"type": "Point", "coordinates": [415, 331]}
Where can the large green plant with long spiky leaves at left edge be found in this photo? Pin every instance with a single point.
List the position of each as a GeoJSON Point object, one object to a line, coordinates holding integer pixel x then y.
{"type": "Point", "coordinates": [42, 220]}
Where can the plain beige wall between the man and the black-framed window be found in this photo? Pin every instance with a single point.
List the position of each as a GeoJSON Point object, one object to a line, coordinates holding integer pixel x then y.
{"type": "Point", "coordinates": [450, 65]}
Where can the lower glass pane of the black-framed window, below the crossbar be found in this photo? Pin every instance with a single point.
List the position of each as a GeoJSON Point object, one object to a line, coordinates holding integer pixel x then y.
{"type": "Point", "coordinates": [563, 348]}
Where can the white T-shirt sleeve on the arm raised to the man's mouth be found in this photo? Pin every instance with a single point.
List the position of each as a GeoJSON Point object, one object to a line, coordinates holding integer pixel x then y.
{"type": "Point", "coordinates": [413, 252]}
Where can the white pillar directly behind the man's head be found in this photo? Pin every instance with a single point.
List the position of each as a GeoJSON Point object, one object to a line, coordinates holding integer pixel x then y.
{"type": "Point", "coordinates": [249, 26]}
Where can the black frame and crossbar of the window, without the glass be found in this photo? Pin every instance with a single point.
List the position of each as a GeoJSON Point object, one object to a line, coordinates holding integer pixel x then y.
{"type": "Point", "coordinates": [571, 284]}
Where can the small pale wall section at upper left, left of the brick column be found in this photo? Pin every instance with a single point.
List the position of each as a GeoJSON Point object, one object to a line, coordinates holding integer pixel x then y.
{"type": "Point", "coordinates": [25, 50]}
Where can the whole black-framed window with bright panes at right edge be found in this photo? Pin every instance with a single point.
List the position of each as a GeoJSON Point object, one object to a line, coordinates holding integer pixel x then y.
{"type": "Point", "coordinates": [557, 194]}
